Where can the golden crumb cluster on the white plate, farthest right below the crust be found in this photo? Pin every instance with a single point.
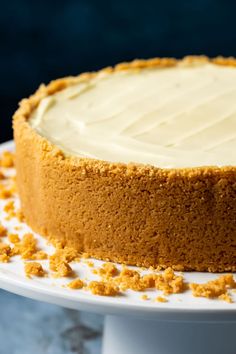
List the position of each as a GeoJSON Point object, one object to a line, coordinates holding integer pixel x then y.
{"type": "Point", "coordinates": [213, 289]}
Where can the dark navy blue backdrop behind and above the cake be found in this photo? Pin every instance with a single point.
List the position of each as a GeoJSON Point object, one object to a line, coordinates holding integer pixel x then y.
{"type": "Point", "coordinates": [41, 40]}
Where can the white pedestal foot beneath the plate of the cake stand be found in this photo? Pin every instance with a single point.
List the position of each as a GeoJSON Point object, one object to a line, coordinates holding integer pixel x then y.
{"type": "Point", "coordinates": [134, 336]}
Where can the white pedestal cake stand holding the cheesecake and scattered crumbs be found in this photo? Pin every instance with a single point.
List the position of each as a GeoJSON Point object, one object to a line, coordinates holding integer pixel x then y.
{"type": "Point", "coordinates": [183, 325]}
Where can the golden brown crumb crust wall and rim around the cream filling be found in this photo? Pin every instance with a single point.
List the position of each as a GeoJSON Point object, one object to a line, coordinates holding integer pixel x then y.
{"type": "Point", "coordinates": [129, 213]}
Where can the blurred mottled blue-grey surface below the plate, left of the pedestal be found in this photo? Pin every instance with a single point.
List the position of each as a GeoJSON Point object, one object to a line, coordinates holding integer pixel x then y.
{"type": "Point", "coordinates": [28, 326]}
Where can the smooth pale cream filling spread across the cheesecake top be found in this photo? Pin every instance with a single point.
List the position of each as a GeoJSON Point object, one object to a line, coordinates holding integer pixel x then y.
{"type": "Point", "coordinates": [183, 116]}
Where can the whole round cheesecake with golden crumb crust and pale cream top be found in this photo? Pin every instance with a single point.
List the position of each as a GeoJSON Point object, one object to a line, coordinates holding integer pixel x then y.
{"type": "Point", "coordinates": [135, 164]}
